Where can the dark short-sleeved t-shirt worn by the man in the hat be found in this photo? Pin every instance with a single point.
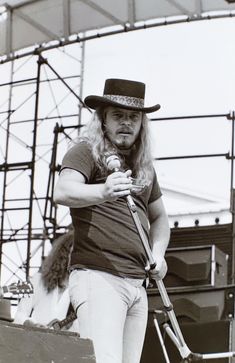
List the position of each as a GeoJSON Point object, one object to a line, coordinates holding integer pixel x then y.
{"type": "Point", "coordinates": [106, 237]}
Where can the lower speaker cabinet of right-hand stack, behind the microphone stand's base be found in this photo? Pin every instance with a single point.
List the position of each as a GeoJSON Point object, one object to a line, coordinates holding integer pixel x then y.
{"type": "Point", "coordinates": [206, 318]}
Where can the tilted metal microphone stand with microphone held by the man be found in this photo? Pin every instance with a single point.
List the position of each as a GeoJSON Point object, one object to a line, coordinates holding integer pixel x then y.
{"type": "Point", "coordinates": [173, 331]}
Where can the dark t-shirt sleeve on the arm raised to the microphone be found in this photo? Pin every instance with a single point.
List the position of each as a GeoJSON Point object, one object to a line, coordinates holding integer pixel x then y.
{"type": "Point", "coordinates": [79, 158]}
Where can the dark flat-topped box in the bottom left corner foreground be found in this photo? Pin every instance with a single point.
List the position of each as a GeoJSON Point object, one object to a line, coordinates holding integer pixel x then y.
{"type": "Point", "coordinates": [20, 344]}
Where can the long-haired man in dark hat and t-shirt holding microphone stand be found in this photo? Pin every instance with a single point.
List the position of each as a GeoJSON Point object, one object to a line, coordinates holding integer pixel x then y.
{"type": "Point", "coordinates": [108, 263]}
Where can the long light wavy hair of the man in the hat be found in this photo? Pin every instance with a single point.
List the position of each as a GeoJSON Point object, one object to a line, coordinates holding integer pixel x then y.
{"type": "Point", "coordinates": [140, 160]}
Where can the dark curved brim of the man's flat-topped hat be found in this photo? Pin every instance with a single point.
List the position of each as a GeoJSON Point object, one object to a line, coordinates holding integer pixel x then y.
{"type": "Point", "coordinates": [95, 102]}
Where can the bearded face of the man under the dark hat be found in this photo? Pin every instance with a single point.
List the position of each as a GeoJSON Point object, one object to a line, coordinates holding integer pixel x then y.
{"type": "Point", "coordinates": [122, 126]}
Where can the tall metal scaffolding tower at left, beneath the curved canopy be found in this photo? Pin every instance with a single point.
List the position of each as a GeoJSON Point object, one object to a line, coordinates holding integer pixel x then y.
{"type": "Point", "coordinates": [39, 93]}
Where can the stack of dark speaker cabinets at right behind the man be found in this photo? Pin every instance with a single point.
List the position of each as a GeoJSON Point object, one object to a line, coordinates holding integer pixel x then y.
{"type": "Point", "coordinates": [199, 270]}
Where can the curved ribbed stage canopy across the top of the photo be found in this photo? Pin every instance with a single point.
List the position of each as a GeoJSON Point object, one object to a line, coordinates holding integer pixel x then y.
{"type": "Point", "coordinates": [34, 23]}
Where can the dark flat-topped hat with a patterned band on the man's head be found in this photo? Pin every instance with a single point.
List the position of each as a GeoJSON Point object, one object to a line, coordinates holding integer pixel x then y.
{"type": "Point", "coordinates": [121, 93]}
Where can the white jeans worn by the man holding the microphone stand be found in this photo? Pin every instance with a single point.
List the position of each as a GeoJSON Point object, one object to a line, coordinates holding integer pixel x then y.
{"type": "Point", "coordinates": [112, 312]}
